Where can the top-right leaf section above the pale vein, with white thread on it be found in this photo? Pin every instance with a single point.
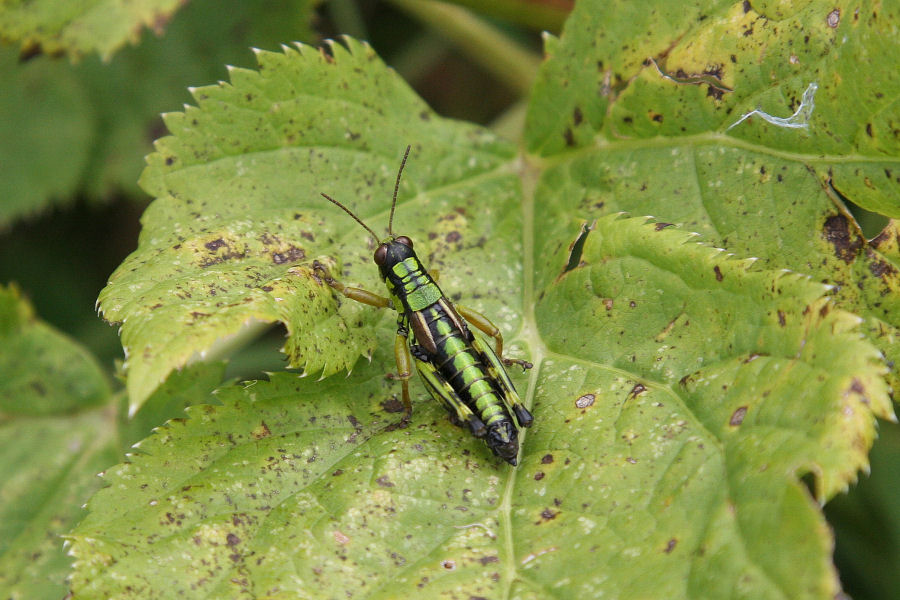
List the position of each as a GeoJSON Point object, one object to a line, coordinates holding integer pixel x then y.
{"type": "Point", "coordinates": [641, 72]}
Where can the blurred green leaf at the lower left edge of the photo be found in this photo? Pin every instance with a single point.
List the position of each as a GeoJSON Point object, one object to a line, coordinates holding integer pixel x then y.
{"type": "Point", "coordinates": [52, 444]}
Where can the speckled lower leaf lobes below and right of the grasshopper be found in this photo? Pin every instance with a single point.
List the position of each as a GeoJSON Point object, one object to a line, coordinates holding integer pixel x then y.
{"type": "Point", "coordinates": [656, 450]}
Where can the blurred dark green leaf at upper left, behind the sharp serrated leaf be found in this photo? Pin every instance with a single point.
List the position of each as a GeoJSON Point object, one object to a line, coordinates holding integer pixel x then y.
{"type": "Point", "coordinates": [84, 129]}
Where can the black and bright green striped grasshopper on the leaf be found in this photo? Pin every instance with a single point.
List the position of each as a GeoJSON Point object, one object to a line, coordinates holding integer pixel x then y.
{"type": "Point", "coordinates": [459, 369]}
